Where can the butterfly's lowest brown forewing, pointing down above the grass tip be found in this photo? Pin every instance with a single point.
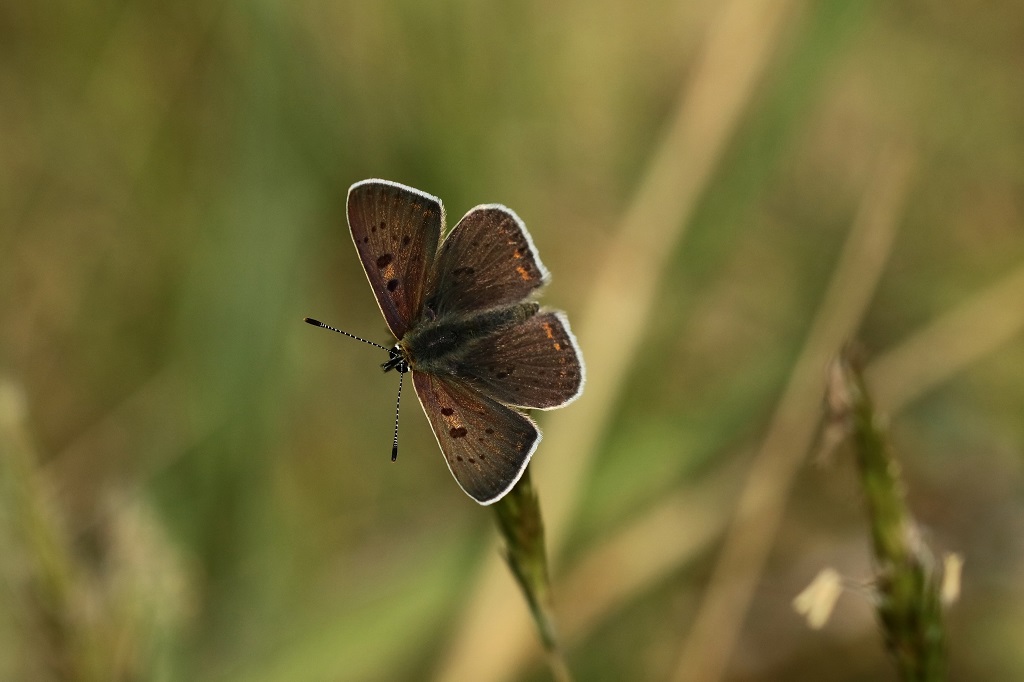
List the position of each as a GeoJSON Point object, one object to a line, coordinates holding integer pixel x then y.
{"type": "Point", "coordinates": [486, 444]}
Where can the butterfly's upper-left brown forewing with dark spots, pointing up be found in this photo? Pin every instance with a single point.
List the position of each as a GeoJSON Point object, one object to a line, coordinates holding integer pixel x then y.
{"type": "Point", "coordinates": [396, 230]}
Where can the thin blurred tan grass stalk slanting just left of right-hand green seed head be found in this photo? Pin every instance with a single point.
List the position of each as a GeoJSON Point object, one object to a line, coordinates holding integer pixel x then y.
{"type": "Point", "coordinates": [760, 508]}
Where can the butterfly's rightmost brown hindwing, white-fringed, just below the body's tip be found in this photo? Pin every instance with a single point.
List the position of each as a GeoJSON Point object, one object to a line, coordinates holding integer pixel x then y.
{"type": "Point", "coordinates": [537, 364]}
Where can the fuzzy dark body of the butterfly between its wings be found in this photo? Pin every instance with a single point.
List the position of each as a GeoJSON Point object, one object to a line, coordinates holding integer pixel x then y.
{"type": "Point", "coordinates": [438, 344]}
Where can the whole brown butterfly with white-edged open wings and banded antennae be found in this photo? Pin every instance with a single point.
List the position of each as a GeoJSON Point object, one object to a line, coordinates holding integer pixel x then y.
{"type": "Point", "coordinates": [481, 350]}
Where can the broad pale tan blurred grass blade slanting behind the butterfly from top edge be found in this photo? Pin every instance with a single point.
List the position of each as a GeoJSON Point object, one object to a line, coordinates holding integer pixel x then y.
{"type": "Point", "coordinates": [739, 48]}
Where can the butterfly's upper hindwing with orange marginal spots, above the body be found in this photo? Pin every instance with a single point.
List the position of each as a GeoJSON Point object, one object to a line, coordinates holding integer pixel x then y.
{"type": "Point", "coordinates": [487, 262]}
